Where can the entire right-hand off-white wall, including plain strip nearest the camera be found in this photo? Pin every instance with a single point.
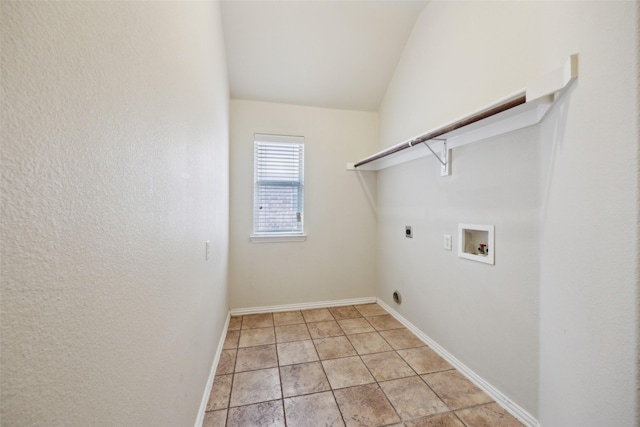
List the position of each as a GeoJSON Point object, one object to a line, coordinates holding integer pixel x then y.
{"type": "Point", "coordinates": [553, 324]}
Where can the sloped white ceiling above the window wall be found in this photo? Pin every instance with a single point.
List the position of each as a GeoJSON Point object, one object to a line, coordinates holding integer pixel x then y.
{"type": "Point", "coordinates": [326, 53]}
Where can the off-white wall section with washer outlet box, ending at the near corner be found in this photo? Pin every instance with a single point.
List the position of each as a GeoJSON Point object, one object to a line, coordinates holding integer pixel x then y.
{"type": "Point", "coordinates": [457, 61]}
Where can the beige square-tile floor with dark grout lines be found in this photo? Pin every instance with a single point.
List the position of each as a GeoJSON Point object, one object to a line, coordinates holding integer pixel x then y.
{"type": "Point", "coordinates": [353, 366]}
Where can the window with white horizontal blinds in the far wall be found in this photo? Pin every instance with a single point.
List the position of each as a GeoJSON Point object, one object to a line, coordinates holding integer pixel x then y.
{"type": "Point", "coordinates": [278, 201]}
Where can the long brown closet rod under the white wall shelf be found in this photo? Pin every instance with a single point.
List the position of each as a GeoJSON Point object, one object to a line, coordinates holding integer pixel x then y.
{"type": "Point", "coordinates": [498, 108]}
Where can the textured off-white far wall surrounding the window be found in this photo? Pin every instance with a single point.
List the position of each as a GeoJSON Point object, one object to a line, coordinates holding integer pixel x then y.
{"type": "Point", "coordinates": [337, 260]}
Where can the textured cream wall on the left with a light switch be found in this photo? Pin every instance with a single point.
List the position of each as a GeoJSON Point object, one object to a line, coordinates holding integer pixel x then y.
{"type": "Point", "coordinates": [114, 173]}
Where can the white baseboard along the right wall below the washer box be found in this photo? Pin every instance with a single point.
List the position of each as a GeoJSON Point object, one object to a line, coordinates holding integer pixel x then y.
{"type": "Point", "coordinates": [514, 409]}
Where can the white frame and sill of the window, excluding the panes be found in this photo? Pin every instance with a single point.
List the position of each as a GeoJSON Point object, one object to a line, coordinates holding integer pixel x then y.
{"type": "Point", "coordinates": [262, 236]}
